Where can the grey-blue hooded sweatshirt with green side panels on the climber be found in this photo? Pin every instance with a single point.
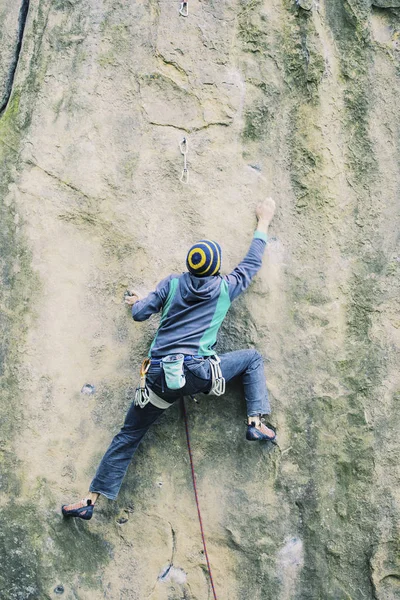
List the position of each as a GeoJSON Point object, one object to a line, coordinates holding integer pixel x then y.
{"type": "Point", "coordinates": [193, 308]}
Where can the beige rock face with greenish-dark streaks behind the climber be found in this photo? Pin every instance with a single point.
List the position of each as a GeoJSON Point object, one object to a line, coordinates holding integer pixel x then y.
{"type": "Point", "coordinates": [295, 100]}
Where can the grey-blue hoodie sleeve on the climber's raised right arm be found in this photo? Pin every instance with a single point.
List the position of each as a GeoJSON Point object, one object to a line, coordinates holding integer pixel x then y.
{"type": "Point", "coordinates": [241, 277]}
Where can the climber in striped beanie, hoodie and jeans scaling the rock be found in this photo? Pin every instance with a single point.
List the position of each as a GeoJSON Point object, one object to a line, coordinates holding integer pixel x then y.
{"type": "Point", "coordinates": [182, 360]}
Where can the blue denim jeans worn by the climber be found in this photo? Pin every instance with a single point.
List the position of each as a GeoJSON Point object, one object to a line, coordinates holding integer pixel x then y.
{"type": "Point", "coordinates": [247, 363]}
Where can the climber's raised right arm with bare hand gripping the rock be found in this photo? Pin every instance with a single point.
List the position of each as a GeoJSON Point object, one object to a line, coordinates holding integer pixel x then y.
{"type": "Point", "coordinates": [242, 275]}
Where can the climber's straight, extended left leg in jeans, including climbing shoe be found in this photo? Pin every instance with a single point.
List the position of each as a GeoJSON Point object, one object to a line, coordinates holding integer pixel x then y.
{"type": "Point", "coordinates": [114, 463]}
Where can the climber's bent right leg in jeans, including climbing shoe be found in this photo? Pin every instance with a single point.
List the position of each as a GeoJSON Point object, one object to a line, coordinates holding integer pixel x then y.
{"type": "Point", "coordinates": [249, 364]}
